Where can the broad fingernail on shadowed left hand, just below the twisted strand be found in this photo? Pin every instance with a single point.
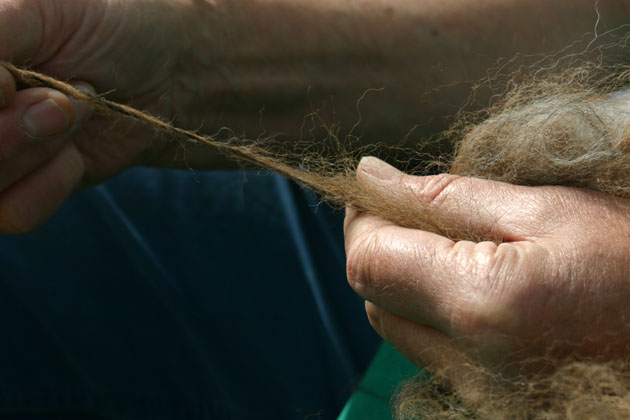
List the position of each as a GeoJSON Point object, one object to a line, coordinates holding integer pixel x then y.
{"type": "Point", "coordinates": [45, 119]}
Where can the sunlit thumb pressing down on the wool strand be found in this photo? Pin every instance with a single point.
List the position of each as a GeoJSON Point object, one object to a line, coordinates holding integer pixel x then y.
{"type": "Point", "coordinates": [484, 208]}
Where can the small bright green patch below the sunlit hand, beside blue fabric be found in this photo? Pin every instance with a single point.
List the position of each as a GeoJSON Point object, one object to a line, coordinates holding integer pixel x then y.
{"type": "Point", "coordinates": [371, 399]}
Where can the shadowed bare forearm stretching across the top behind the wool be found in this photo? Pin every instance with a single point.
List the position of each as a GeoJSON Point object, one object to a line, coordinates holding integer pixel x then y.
{"type": "Point", "coordinates": [289, 57]}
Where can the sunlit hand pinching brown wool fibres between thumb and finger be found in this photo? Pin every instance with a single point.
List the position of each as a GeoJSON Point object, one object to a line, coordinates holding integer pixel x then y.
{"type": "Point", "coordinates": [556, 287]}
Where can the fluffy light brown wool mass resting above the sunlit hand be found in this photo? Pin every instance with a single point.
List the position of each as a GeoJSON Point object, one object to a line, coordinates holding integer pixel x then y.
{"type": "Point", "coordinates": [579, 139]}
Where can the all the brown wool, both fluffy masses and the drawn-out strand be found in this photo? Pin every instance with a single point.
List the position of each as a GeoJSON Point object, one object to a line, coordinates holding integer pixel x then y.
{"type": "Point", "coordinates": [572, 129]}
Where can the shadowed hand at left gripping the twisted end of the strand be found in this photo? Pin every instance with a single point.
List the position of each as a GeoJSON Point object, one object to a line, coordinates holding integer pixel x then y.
{"type": "Point", "coordinates": [49, 146]}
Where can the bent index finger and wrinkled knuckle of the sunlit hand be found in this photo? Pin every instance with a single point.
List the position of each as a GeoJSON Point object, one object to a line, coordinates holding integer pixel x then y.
{"type": "Point", "coordinates": [426, 278]}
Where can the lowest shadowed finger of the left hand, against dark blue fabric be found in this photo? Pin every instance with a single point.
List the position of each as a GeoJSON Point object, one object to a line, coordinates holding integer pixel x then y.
{"type": "Point", "coordinates": [29, 203]}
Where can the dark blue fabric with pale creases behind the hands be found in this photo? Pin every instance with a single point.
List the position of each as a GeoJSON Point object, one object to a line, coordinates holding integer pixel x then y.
{"type": "Point", "coordinates": [180, 295]}
